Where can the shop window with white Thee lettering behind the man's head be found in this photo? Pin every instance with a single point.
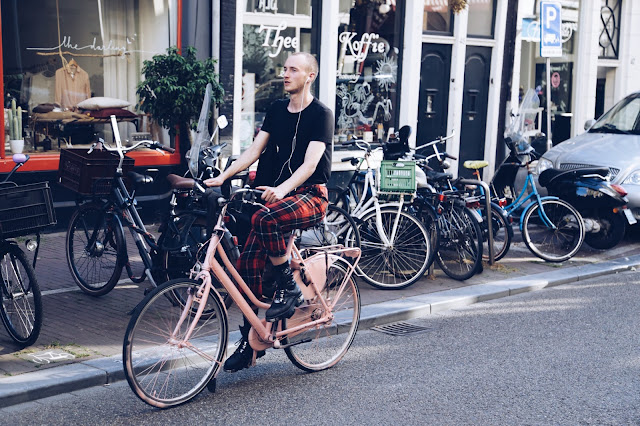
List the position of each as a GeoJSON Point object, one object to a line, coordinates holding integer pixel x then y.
{"type": "Point", "coordinates": [268, 38]}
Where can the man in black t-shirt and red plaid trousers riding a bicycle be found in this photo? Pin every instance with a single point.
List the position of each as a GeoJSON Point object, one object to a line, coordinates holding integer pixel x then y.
{"type": "Point", "coordinates": [294, 149]}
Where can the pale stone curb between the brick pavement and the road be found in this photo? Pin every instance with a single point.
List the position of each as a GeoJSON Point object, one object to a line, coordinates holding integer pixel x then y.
{"type": "Point", "coordinates": [72, 377]}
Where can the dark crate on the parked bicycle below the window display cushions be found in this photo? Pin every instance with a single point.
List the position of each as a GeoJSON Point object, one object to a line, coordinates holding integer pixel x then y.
{"type": "Point", "coordinates": [90, 173]}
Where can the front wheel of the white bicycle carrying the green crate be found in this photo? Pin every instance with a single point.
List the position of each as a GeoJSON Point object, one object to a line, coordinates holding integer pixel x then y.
{"type": "Point", "coordinates": [406, 259]}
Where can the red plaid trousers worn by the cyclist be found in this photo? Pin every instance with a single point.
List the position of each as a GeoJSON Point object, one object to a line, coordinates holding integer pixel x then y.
{"type": "Point", "coordinates": [306, 207]}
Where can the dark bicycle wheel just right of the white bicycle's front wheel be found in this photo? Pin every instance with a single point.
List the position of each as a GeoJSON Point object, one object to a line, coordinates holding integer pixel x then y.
{"type": "Point", "coordinates": [460, 251]}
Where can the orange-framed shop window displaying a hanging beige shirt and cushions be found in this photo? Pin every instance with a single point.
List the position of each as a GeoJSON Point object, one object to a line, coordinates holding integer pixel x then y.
{"type": "Point", "coordinates": [70, 52]}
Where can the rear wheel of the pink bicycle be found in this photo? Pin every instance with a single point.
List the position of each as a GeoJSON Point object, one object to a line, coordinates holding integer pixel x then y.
{"type": "Point", "coordinates": [322, 346]}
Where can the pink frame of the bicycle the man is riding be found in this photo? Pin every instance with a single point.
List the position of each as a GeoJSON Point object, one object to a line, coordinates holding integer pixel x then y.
{"type": "Point", "coordinates": [310, 288]}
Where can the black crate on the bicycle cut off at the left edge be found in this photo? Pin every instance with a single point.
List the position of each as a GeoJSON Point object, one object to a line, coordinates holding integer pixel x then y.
{"type": "Point", "coordinates": [25, 209]}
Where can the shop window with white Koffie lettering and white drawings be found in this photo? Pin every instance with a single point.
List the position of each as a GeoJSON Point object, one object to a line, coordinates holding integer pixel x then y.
{"type": "Point", "coordinates": [369, 54]}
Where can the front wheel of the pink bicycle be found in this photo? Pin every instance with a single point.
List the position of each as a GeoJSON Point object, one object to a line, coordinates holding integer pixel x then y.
{"type": "Point", "coordinates": [162, 368]}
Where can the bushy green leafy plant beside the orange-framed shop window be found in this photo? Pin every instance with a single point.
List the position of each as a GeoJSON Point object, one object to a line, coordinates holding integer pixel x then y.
{"type": "Point", "coordinates": [174, 86]}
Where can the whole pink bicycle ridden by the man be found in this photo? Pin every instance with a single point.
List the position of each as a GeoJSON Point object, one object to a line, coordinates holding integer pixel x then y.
{"type": "Point", "coordinates": [176, 339]}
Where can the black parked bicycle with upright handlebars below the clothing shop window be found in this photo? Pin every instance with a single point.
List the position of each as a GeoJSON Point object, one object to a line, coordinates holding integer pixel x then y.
{"type": "Point", "coordinates": [95, 243]}
